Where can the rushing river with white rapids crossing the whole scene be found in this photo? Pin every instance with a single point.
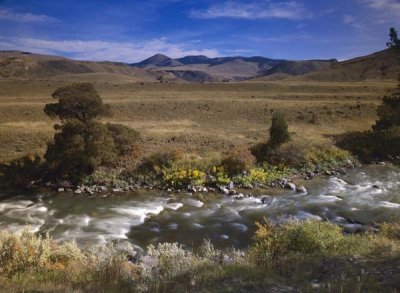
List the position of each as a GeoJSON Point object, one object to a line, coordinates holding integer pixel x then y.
{"type": "Point", "coordinates": [364, 196]}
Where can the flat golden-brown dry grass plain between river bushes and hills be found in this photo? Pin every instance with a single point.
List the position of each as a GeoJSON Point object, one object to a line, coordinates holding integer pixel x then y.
{"type": "Point", "coordinates": [198, 118]}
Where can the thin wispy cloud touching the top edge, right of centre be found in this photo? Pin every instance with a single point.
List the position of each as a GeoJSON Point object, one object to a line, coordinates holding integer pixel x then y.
{"type": "Point", "coordinates": [266, 9]}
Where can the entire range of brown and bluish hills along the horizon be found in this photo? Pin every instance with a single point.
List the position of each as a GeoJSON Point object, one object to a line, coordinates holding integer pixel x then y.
{"type": "Point", "coordinates": [22, 65]}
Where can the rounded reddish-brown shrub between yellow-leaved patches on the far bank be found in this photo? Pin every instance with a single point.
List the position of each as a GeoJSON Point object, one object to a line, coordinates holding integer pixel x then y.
{"type": "Point", "coordinates": [238, 160]}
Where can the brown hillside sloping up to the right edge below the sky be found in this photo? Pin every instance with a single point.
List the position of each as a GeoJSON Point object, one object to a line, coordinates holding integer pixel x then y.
{"type": "Point", "coordinates": [380, 65]}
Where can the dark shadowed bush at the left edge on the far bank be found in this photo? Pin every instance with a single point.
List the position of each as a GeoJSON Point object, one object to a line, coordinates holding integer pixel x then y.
{"type": "Point", "coordinates": [21, 172]}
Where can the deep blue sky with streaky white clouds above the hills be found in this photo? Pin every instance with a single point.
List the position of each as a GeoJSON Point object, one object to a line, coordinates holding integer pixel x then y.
{"type": "Point", "coordinates": [130, 31]}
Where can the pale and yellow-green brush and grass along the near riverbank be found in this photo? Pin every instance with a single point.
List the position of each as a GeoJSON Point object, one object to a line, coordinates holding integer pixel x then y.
{"type": "Point", "coordinates": [295, 256]}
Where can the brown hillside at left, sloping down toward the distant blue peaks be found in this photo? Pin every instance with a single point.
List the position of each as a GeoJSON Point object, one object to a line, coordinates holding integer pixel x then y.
{"type": "Point", "coordinates": [16, 64]}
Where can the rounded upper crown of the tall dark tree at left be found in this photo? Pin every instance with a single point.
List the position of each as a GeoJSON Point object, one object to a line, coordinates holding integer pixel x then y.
{"type": "Point", "coordinates": [78, 101]}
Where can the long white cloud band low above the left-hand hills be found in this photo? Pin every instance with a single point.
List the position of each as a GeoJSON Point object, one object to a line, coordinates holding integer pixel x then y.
{"type": "Point", "coordinates": [104, 50]}
